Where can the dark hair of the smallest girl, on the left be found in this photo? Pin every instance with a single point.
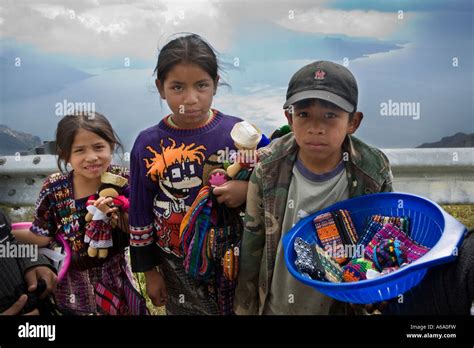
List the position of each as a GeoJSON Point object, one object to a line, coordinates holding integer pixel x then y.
{"type": "Point", "coordinates": [70, 125]}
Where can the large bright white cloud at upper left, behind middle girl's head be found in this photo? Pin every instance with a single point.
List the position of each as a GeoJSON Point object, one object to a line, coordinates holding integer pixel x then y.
{"type": "Point", "coordinates": [111, 28]}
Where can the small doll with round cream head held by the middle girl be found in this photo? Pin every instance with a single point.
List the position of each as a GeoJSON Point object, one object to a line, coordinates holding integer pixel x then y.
{"type": "Point", "coordinates": [246, 137]}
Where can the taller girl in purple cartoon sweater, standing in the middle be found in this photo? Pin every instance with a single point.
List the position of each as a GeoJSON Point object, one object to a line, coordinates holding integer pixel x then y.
{"type": "Point", "coordinates": [169, 164]}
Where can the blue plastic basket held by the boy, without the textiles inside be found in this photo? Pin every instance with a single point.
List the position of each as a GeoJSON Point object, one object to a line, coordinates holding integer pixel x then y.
{"type": "Point", "coordinates": [430, 225]}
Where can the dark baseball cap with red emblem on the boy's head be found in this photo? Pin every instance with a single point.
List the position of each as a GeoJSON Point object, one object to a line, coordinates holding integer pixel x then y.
{"type": "Point", "coordinates": [324, 80]}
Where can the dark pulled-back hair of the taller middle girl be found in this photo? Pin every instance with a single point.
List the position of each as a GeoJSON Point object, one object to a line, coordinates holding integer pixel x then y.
{"type": "Point", "coordinates": [191, 49]}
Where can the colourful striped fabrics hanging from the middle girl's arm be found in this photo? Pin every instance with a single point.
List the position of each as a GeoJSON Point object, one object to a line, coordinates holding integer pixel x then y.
{"type": "Point", "coordinates": [210, 235]}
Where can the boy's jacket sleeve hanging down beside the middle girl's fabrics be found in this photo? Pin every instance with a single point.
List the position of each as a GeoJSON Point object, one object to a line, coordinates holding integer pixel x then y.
{"type": "Point", "coordinates": [253, 243]}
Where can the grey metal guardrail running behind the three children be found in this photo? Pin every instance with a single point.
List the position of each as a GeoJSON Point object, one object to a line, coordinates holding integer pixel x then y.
{"type": "Point", "coordinates": [443, 175]}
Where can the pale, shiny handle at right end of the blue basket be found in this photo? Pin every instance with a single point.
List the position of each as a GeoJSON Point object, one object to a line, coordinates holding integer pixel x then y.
{"type": "Point", "coordinates": [446, 249]}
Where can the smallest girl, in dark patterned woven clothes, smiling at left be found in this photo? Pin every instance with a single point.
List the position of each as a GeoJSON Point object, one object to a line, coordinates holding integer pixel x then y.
{"type": "Point", "coordinates": [86, 143]}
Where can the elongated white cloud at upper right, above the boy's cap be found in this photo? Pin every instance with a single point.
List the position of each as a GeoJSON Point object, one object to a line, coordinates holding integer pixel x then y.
{"type": "Point", "coordinates": [354, 23]}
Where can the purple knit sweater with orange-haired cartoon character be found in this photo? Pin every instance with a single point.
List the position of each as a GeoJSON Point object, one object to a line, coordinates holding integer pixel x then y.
{"type": "Point", "coordinates": [167, 167]}
